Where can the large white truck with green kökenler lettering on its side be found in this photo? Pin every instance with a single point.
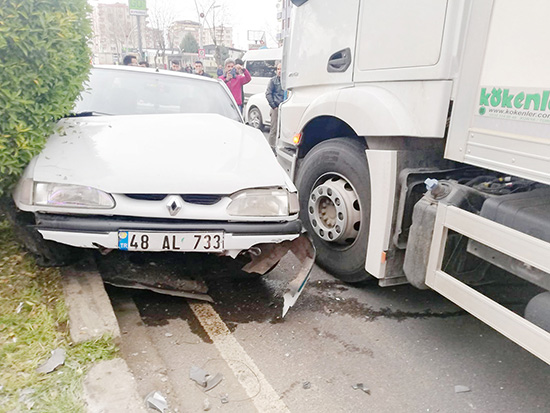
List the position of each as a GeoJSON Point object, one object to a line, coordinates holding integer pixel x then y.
{"type": "Point", "coordinates": [418, 133]}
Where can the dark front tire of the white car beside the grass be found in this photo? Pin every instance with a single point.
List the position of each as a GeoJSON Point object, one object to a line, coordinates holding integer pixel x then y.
{"type": "Point", "coordinates": [46, 253]}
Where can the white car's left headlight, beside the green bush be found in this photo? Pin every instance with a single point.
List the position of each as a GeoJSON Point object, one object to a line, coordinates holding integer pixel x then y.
{"type": "Point", "coordinates": [74, 196]}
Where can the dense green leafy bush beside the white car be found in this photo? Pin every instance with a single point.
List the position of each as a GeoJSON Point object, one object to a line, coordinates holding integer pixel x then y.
{"type": "Point", "coordinates": [44, 60]}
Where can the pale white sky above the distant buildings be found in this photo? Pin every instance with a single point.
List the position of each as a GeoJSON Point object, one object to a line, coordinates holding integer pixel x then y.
{"type": "Point", "coordinates": [242, 15]}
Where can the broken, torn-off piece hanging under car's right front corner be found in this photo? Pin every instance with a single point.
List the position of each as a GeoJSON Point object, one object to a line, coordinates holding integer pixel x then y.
{"type": "Point", "coordinates": [271, 254]}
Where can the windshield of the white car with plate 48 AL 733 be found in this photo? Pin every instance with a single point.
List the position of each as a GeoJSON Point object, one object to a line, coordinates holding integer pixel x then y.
{"type": "Point", "coordinates": [124, 92]}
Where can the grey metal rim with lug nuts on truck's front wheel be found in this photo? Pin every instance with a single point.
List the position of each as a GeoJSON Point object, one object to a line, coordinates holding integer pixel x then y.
{"type": "Point", "coordinates": [334, 210]}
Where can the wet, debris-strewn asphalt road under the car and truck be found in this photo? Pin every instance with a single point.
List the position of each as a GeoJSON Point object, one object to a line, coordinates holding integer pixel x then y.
{"type": "Point", "coordinates": [410, 348]}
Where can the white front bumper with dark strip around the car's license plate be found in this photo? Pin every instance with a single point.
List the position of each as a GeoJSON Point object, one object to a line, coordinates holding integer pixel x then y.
{"type": "Point", "coordinates": [102, 232]}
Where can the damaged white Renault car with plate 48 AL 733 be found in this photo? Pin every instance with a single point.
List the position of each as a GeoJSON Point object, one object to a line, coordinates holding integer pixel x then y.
{"type": "Point", "coordinates": [159, 161]}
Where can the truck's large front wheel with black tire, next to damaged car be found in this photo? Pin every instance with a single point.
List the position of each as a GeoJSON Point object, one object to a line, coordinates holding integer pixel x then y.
{"type": "Point", "coordinates": [334, 188]}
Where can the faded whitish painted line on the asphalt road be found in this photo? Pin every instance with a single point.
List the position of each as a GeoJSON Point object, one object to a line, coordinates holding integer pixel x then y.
{"type": "Point", "coordinates": [267, 399]}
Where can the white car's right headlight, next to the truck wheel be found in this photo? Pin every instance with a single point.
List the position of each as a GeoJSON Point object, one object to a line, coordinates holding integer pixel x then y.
{"type": "Point", "coordinates": [263, 202]}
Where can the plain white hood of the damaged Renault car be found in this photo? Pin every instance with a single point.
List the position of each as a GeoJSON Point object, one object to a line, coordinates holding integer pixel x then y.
{"type": "Point", "coordinates": [180, 153]}
